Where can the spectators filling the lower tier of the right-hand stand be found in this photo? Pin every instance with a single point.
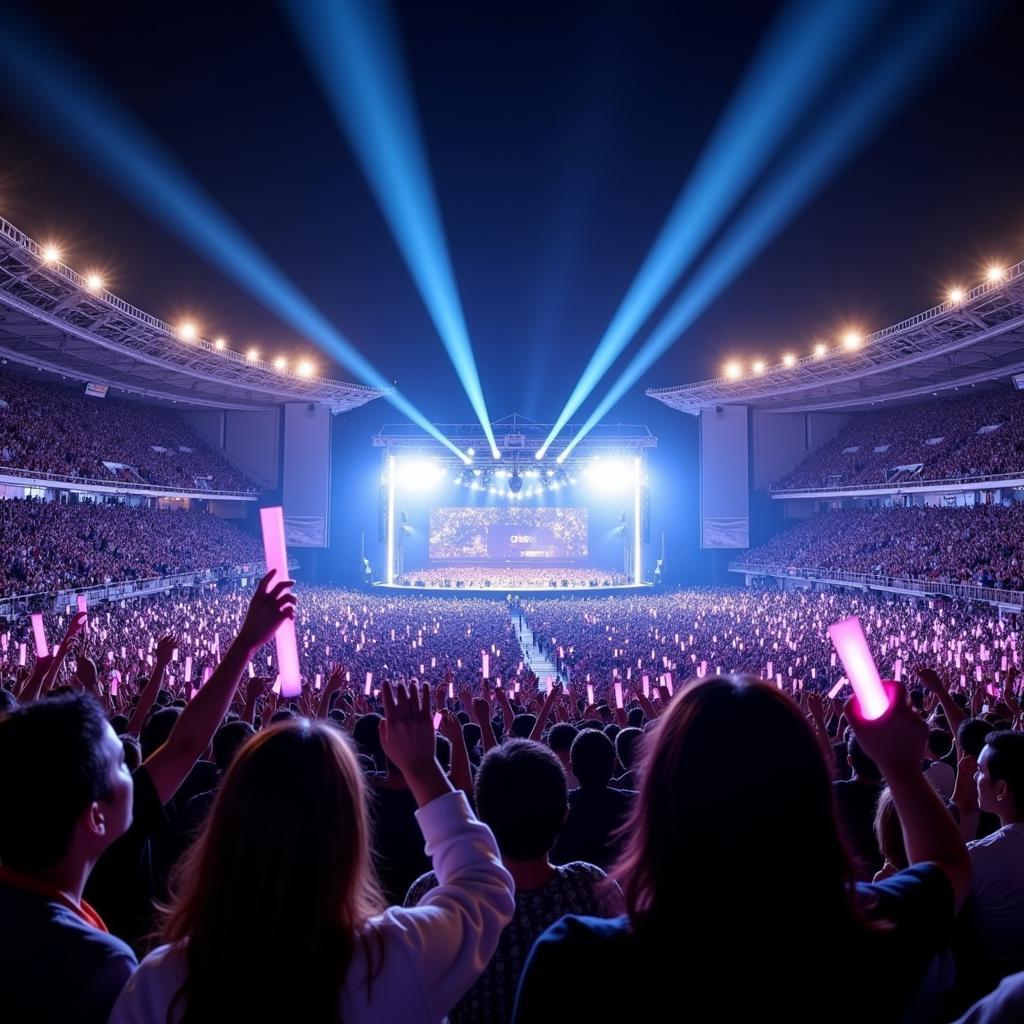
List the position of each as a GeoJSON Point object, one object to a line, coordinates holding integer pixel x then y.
{"type": "Point", "coordinates": [978, 544]}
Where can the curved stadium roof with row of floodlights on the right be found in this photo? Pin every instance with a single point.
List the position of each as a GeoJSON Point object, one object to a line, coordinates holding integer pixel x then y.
{"type": "Point", "coordinates": [974, 337]}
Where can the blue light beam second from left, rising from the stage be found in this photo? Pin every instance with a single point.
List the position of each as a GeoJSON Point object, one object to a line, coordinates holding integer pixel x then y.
{"type": "Point", "coordinates": [355, 51]}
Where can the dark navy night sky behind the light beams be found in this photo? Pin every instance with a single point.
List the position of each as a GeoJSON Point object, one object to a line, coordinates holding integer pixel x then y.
{"type": "Point", "coordinates": [560, 136]}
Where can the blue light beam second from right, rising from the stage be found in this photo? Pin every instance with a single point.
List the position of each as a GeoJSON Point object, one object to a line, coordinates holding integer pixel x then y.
{"type": "Point", "coordinates": [805, 50]}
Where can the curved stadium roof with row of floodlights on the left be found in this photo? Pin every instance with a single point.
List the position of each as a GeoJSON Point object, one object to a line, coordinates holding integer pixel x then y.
{"type": "Point", "coordinates": [57, 320]}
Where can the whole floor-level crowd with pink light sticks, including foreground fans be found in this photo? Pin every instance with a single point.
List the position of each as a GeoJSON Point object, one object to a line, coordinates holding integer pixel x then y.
{"type": "Point", "coordinates": [423, 832]}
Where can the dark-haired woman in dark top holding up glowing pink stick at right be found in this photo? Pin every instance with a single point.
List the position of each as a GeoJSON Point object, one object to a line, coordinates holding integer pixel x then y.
{"type": "Point", "coordinates": [742, 901]}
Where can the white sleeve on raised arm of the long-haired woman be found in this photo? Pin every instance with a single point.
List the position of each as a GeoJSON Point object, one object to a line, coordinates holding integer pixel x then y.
{"type": "Point", "coordinates": [451, 936]}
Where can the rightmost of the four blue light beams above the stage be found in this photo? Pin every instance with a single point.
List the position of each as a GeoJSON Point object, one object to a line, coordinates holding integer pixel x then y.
{"type": "Point", "coordinates": [873, 99]}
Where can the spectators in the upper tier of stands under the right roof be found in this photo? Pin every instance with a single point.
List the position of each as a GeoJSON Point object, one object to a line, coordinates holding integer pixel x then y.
{"type": "Point", "coordinates": [976, 435]}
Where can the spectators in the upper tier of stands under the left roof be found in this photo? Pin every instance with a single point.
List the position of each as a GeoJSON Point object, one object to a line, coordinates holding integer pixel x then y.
{"type": "Point", "coordinates": [49, 429]}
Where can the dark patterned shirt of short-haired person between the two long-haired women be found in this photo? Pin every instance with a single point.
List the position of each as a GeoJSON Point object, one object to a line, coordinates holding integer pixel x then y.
{"type": "Point", "coordinates": [575, 889]}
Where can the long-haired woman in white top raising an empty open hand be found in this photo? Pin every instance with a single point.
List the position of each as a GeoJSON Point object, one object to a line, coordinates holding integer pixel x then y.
{"type": "Point", "coordinates": [277, 914]}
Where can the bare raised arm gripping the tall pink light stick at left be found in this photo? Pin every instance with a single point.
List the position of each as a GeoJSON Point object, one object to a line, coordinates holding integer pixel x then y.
{"type": "Point", "coordinates": [194, 731]}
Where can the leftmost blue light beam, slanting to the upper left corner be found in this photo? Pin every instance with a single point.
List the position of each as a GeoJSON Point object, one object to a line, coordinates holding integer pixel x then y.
{"type": "Point", "coordinates": [93, 123]}
